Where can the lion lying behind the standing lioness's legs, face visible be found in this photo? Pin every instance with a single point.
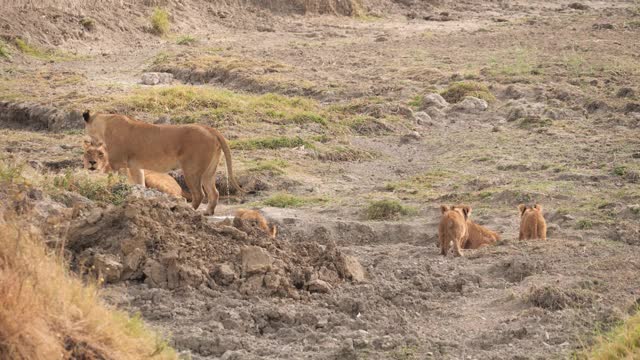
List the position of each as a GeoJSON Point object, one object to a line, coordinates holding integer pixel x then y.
{"type": "Point", "coordinates": [96, 158]}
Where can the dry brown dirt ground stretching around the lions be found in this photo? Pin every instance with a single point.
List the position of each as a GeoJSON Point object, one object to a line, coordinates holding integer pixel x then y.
{"type": "Point", "coordinates": [562, 130]}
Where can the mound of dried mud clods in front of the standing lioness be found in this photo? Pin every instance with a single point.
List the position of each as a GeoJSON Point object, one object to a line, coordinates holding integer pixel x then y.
{"type": "Point", "coordinates": [164, 243]}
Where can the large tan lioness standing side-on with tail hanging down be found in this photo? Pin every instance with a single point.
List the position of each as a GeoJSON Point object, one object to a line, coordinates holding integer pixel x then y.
{"type": "Point", "coordinates": [137, 145]}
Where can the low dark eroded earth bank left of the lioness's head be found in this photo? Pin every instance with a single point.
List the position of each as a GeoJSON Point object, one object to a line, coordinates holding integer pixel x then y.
{"type": "Point", "coordinates": [37, 117]}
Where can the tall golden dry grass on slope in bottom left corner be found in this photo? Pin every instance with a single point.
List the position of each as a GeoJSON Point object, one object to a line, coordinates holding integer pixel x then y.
{"type": "Point", "coordinates": [46, 312]}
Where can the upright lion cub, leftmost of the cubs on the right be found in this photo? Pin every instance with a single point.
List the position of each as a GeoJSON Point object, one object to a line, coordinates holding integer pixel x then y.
{"type": "Point", "coordinates": [453, 227]}
